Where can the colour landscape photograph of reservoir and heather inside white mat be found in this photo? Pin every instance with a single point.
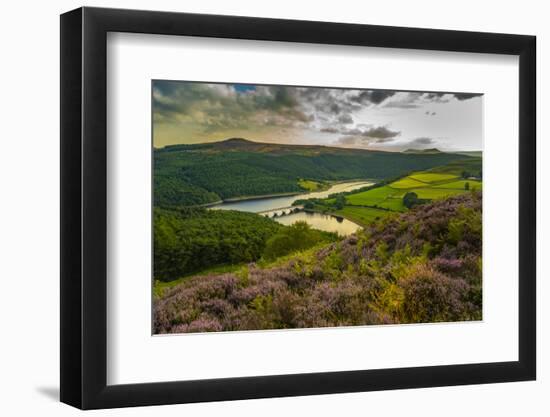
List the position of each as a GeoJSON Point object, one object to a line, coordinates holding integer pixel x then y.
{"type": "Point", "coordinates": [293, 207]}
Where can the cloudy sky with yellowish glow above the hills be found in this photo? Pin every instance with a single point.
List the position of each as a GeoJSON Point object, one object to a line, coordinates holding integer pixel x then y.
{"type": "Point", "coordinates": [193, 112]}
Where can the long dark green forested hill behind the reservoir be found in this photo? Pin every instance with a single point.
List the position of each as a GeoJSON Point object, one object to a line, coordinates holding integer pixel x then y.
{"type": "Point", "coordinates": [187, 175]}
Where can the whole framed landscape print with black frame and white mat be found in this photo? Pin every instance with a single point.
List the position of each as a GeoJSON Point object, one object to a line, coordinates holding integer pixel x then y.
{"type": "Point", "coordinates": [257, 208]}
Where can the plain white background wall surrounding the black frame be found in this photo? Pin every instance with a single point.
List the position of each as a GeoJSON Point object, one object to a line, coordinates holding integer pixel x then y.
{"type": "Point", "coordinates": [29, 237]}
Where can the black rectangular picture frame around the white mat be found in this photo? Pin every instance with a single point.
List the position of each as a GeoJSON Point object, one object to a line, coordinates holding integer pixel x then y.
{"type": "Point", "coordinates": [84, 207]}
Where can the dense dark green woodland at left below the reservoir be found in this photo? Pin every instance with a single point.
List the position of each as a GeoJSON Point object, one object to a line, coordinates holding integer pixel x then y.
{"type": "Point", "coordinates": [190, 240]}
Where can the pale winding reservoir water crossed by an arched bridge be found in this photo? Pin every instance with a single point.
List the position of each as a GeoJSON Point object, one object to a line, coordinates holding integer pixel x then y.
{"type": "Point", "coordinates": [316, 220]}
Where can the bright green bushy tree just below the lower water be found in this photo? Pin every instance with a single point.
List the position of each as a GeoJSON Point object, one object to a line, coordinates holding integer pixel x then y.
{"type": "Point", "coordinates": [295, 238]}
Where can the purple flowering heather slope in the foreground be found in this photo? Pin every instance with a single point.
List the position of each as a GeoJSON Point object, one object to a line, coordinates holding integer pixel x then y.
{"type": "Point", "coordinates": [418, 267]}
